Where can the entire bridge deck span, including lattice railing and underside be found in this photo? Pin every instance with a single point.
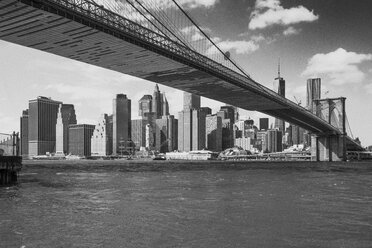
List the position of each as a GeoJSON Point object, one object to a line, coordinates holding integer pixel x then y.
{"type": "Point", "coordinates": [87, 32]}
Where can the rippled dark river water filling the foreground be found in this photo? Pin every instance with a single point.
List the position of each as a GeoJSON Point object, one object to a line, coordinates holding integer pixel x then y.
{"type": "Point", "coordinates": [106, 207]}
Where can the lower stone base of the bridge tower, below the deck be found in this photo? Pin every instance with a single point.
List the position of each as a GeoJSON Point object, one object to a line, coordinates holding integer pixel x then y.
{"type": "Point", "coordinates": [328, 148]}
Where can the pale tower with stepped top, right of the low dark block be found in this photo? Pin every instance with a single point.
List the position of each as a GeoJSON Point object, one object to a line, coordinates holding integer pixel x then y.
{"type": "Point", "coordinates": [101, 141]}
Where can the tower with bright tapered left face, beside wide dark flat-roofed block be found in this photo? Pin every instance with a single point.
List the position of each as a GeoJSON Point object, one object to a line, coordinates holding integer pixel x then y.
{"type": "Point", "coordinates": [66, 117]}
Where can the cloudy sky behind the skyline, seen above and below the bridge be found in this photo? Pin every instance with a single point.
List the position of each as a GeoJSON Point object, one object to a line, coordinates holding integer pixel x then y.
{"type": "Point", "coordinates": [313, 38]}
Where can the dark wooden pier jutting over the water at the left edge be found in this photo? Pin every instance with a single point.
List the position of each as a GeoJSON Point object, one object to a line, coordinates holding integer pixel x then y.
{"type": "Point", "coordinates": [9, 169]}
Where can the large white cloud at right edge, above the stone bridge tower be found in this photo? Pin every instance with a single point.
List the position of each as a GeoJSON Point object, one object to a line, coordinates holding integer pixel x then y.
{"type": "Point", "coordinates": [340, 66]}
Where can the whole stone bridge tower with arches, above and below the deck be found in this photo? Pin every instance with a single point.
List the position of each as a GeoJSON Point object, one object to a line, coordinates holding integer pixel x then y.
{"type": "Point", "coordinates": [330, 146]}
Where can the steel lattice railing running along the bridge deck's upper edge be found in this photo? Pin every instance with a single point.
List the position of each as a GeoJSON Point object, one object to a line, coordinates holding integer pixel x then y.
{"type": "Point", "coordinates": [114, 20]}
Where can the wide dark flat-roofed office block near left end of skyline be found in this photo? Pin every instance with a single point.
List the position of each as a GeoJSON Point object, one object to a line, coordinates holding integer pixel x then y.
{"type": "Point", "coordinates": [42, 125]}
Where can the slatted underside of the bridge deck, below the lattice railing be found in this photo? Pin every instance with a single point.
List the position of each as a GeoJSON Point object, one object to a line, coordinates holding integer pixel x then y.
{"type": "Point", "coordinates": [68, 34]}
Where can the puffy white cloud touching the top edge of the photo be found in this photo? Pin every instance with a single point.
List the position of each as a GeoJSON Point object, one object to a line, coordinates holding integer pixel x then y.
{"type": "Point", "coordinates": [270, 12]}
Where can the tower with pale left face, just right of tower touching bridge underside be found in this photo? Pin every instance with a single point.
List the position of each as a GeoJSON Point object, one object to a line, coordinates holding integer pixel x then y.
{"type": "Point", "coordinates": [198, 127]}
